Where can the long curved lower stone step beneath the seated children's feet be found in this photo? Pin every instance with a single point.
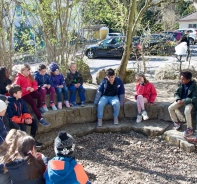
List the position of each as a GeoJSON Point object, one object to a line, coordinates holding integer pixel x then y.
{"type": "Point", "coordinates": [149, 128]}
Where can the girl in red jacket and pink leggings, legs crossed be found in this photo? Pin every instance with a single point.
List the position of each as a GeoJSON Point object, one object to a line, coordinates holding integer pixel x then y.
{"type": "Point", "coordinates": [146, 92]}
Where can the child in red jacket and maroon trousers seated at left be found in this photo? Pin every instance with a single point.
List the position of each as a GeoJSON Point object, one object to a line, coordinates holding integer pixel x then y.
{"type": "Point", "coordinates": [29, 92]}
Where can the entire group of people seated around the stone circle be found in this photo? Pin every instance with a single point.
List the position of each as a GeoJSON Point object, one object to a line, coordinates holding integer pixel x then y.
{"type": "Point", "coordinates": [26, 88]}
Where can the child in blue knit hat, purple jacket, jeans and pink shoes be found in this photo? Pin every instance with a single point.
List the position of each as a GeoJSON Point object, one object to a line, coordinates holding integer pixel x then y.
{"type": "Point", "coordinates": [59, 85]}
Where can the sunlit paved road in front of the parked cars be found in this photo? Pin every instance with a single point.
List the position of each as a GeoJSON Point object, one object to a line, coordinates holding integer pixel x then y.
{"type": "Point", "coordinates": [152, 62]}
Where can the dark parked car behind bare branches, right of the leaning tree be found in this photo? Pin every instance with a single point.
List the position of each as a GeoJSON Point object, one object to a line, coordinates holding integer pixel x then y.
{"type": "Point", "coordinates": [158, 44]}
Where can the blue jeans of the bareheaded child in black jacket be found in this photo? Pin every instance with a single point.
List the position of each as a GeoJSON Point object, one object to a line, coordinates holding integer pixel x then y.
{"type": "Point", "coordinates": [73, 91]}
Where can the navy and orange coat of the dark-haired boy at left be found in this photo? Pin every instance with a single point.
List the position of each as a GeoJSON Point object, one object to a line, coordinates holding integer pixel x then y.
{"type": "Point", "coordinates": [17, 110]}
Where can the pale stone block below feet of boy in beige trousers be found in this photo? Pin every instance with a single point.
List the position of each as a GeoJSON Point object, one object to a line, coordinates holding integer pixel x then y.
{"type": "Point", "coordinates": [176, 138]}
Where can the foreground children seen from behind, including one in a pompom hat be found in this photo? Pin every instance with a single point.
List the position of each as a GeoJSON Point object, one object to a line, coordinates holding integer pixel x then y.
{"type": "Point", "coordinates": [20, 163]}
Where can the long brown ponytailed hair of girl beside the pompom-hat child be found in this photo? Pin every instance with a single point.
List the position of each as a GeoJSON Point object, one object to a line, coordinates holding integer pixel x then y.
{"type": "Point", "coordinates": [36, 166]}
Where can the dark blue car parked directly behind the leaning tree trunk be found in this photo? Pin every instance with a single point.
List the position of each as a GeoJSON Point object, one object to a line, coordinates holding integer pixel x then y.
{"type": "Point", "coordinates": [111, 47]}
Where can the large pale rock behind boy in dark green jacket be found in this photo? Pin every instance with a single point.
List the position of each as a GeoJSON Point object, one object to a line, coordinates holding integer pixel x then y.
{"type": "Point", "coordinates": [171, 71]}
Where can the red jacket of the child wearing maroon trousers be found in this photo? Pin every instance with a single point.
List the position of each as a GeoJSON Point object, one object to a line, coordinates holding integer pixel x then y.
{"type": "Point", "coordinates": [25, 82]}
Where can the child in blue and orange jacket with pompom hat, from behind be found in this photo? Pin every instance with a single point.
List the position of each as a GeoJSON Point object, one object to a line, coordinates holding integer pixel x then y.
{"type": "Point", "coordinates": [63, 168]}
